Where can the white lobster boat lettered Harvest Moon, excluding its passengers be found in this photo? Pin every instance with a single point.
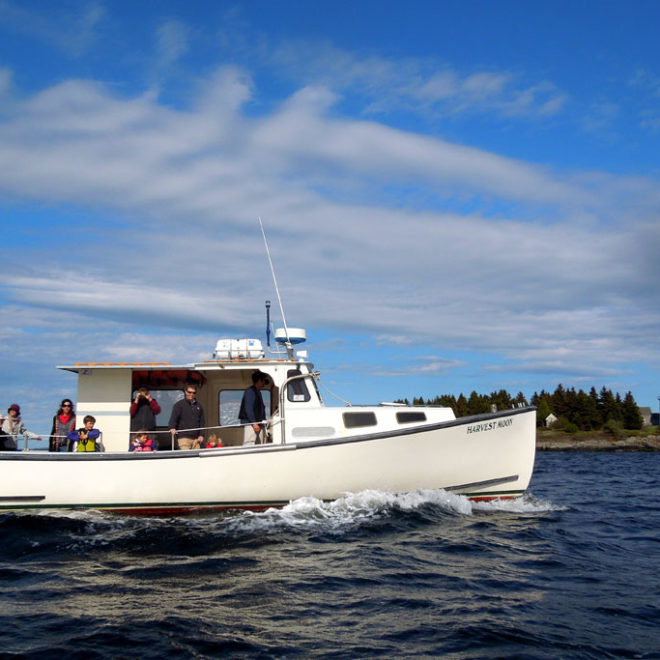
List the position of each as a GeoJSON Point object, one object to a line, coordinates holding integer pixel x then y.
{"type": "Point", "coordinates": [313, 449]}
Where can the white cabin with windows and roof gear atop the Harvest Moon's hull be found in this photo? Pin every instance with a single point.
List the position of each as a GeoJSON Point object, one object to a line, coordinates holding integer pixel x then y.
{"type": "Point", "coordinates": [106, 391]}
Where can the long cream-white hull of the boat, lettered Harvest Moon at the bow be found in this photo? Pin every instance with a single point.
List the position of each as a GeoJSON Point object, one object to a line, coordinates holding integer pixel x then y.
{"type": "Point", "coordinates": [482, 457]}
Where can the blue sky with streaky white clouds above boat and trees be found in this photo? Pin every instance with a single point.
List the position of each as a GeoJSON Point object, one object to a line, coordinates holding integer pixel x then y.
{"type": "Point", "coordinates": [458, 196]}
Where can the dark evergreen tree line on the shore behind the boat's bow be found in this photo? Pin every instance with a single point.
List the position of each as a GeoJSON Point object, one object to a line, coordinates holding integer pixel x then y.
{"type": "Point", "coordinates": [574, 410]}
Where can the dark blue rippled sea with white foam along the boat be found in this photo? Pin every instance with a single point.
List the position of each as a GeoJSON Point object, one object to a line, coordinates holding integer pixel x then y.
{"type": "Point", "coordinates": [572, 570]}
